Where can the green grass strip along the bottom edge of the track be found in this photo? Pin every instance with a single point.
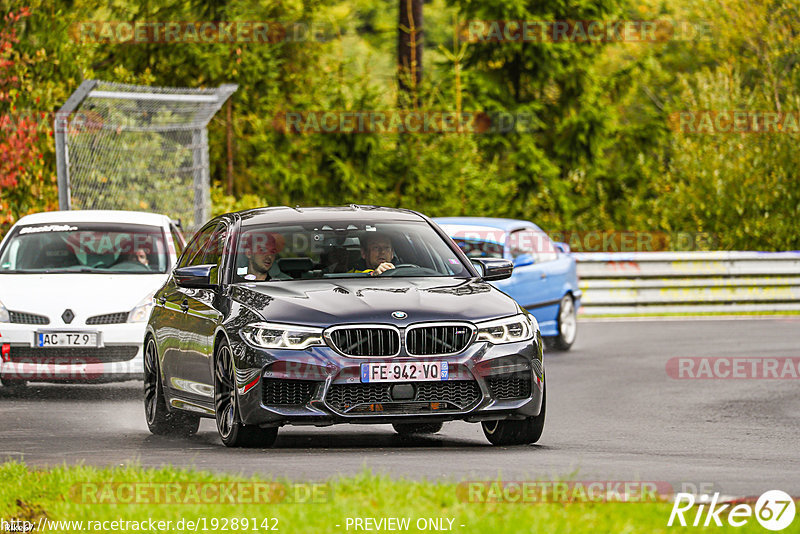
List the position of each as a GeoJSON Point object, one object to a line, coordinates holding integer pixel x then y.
{"type": "Point", "coordinates": [29, 493]}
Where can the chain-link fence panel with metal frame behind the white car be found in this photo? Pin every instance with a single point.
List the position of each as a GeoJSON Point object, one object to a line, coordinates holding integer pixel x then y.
{"type": "Point", "coordinates": [138, 148]}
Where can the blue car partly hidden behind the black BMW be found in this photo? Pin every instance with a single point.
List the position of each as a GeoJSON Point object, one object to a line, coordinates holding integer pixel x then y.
{"type": "Point", "coordinates": [545, 279]}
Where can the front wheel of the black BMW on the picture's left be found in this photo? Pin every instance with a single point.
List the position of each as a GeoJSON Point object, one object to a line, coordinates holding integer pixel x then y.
{"type": "Point", "coordinates": [232, 431]}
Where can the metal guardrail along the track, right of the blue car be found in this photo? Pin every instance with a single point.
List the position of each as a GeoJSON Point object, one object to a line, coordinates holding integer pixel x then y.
{"type": "Point", "coordinates": [688, 282]}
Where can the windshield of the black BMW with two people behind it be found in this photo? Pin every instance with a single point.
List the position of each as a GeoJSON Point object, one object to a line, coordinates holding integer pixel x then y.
{"type": "Point", "coordinates": [342, 250]}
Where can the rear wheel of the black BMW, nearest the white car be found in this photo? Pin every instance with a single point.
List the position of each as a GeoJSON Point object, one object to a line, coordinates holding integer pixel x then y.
{"type": "Point", "coordinates": [160, 420]}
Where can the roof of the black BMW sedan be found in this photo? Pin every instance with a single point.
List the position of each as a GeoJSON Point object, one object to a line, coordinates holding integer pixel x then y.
{"type": "Point", "coordinates": [355, 213]}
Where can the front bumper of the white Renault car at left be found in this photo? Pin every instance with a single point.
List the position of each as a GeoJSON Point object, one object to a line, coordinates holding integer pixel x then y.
{"type": "Point", "coordinates": [117, 356]}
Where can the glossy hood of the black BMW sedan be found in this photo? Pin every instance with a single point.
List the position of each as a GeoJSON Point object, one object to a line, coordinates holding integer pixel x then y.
{"type": "Point", "coordinates": [364, 300]}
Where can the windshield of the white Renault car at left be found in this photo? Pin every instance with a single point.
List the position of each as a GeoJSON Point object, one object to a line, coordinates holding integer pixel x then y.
{"type": "Point", "coordinates": [102, 248]}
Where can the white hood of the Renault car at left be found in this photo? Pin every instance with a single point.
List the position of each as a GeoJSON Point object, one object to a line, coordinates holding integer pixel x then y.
{"type": "Point", "coordinates": [85, 294]}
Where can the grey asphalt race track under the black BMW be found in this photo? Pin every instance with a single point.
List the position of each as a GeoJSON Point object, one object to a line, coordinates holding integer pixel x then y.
{"type": "Point", "coordinates": [613, 414]}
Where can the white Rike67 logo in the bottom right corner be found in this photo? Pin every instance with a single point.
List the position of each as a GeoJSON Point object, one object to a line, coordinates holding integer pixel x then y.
{"type": "Point", "coordinates": [774, 510]}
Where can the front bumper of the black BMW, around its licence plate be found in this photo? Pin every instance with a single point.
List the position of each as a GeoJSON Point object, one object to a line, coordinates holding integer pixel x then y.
{"type": "Point", "coordinates": [321, 387]}
